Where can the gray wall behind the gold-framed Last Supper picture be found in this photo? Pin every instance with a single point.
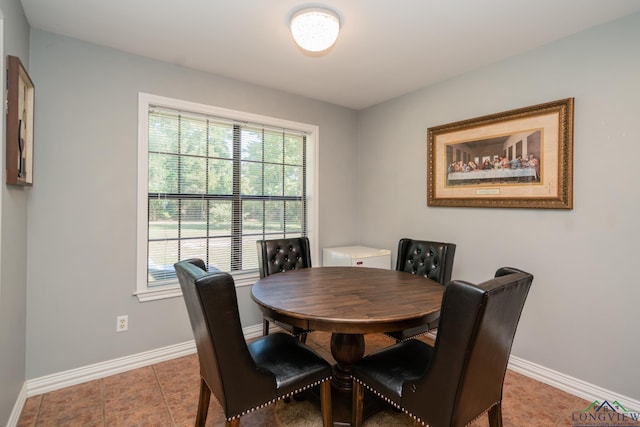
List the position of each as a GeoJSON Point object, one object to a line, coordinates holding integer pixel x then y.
{"type": "Point", "coordinates": [582, 315]}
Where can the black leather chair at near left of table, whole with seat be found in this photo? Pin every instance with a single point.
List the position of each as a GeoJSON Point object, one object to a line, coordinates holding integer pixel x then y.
{"type": "Point", "coordinates": [243, 376]}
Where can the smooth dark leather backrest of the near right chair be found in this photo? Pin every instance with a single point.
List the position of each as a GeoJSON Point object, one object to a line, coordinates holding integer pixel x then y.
{"type": "Point", "coordinates": [476, 331]}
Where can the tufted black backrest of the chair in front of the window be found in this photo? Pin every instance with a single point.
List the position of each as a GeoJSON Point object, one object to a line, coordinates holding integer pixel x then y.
{"type": "Point", "coordinates": [280, 255]}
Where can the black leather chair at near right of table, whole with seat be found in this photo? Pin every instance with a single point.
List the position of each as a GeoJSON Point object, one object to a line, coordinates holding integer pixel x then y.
{"type": "Point", "coordinates": [462, 375]}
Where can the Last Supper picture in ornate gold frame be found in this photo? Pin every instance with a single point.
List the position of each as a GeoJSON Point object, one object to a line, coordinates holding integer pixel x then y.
{"type": "Point", "coordinates": [516, 159]}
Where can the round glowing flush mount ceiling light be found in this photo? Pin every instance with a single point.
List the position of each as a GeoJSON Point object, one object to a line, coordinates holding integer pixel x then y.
{"type": "Point", "coordinates": [315, 29]}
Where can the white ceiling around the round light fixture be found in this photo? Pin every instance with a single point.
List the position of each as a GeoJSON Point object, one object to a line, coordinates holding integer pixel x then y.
{"type": "Point", "coordinates": [386, 48]}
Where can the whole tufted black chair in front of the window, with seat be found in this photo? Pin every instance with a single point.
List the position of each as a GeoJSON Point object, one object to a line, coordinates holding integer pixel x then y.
{"type": "Point", "coordinates": [279, 256]}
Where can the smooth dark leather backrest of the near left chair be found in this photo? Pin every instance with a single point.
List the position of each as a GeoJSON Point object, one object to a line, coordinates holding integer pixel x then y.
{"type": "Point", "coordinates": [225, 362]}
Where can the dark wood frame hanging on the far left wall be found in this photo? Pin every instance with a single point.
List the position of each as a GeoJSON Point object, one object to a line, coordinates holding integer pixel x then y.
{"type": "Point", "coordinates": [20, 104]}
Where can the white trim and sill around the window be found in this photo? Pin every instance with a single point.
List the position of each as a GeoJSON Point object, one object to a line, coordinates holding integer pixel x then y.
{"type": "Point", "coordinates": [143, 292]}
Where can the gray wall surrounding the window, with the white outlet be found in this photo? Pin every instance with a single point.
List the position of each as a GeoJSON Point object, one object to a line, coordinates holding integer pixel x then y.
{"type": "Point", "coordinates": [82, 223]}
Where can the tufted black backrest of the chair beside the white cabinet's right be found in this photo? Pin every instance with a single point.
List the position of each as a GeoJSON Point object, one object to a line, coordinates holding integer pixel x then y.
{"type": "Point", "coordinates": [433, 260]}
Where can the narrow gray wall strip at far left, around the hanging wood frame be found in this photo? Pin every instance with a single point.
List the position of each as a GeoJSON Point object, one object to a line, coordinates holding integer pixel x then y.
{"type": "Point", "coordinates": [13, 238]}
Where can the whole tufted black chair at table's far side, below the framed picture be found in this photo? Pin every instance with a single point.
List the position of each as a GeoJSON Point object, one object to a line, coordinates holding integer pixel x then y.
{"type": "Point", "coordinates": [433, 260]}
